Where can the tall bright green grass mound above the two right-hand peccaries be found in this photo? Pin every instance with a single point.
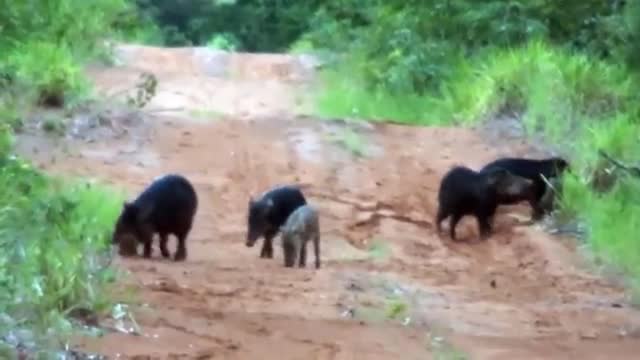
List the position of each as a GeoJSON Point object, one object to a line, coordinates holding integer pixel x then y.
{"type": "Point", "coordinates": [556, 89]}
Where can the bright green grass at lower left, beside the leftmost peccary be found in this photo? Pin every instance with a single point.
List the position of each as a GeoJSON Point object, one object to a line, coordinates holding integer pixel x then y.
{"type": "Point", "coordinates": [54, 242]}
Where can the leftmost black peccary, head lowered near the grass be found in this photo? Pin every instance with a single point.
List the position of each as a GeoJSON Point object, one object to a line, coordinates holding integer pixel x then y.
{"type": "Point", "coordinates": [167, 206]}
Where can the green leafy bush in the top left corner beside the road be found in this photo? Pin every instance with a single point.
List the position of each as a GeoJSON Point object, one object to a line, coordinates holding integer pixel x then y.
{"type": "Point", "coordinates": [45, 42]}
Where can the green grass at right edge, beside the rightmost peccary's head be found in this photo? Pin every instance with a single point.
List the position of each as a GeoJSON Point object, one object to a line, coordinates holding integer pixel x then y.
{"type": "Point", "coordinates": [610, 217]}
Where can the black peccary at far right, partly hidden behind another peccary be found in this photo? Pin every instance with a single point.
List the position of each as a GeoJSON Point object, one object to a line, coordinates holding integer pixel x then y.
{"type": "Point", "coordinates": [530, 169]}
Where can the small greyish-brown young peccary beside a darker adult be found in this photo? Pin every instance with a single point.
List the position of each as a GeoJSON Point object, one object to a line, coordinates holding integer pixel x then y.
{"type": "Point", "coordinates": [302, 226]}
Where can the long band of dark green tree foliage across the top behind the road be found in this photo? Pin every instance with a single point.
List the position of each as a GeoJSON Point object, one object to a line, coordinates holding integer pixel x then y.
{"type": "Point", "coordinates": [404, 45]}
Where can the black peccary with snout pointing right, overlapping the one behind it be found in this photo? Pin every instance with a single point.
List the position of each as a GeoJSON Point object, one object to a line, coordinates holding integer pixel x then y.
{"type": "Point", "coordinates": [467, 192]}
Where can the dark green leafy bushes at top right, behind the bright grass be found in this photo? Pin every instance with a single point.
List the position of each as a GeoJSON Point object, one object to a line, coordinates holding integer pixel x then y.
{"type": "Point", "coordinates": [413, 46]}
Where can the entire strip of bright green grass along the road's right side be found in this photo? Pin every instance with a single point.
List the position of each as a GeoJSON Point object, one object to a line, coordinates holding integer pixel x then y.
{"type": "Point", "coordinates": [577, 103]}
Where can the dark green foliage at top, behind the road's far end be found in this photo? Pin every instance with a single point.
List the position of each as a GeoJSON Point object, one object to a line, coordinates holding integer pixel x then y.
{"type": "Point", "coordinates": [257, 25]}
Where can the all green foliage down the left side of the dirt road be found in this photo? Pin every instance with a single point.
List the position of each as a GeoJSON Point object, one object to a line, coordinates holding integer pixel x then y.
{"type": "Point", "coordinates": [54, 238]}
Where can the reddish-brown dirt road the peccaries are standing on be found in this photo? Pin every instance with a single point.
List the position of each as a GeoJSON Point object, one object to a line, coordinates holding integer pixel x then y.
{"type": "Point", "coordinates": [389, 287]}
